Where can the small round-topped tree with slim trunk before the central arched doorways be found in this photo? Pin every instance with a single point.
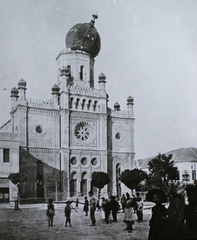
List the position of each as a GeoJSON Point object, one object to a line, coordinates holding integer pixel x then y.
{"type": "Point", "coordinates": [99, 180]}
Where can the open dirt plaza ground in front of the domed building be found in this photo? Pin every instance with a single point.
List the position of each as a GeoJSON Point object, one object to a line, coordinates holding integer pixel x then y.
{"type": "Point", "coordinates": [31, 224]}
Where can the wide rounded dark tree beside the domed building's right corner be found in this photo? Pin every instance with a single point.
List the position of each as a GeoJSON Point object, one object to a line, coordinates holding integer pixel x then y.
{"type": "Point", "coordinates": [133, 178]}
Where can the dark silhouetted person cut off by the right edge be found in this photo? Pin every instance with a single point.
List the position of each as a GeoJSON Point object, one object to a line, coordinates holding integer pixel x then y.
{"type": "Point", "coordinates": [191, 212]}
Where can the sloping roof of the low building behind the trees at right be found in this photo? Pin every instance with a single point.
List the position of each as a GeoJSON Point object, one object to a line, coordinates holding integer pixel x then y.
{"type": "Point", "coordinates": [178, 155]}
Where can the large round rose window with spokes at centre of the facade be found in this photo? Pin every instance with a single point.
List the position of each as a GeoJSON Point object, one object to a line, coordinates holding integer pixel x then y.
{"type": "Point", "coordinates": [83, 131]}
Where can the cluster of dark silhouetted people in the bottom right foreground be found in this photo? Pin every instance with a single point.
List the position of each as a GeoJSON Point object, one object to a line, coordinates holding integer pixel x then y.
{"type": "Point", "coordinates": [178, 221]}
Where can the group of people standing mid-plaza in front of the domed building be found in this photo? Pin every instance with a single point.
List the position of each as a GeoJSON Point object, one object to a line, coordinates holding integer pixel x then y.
{"type": "Point", "coordinates": [107, 206]}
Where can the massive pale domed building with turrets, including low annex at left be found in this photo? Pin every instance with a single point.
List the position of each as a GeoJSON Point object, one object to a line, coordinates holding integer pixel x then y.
{"type": "Point", "coordinates": [59, 143]}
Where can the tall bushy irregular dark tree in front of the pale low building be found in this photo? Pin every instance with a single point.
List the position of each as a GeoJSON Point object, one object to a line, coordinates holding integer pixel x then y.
{"type": "Point", "coordinates": [161, 170]}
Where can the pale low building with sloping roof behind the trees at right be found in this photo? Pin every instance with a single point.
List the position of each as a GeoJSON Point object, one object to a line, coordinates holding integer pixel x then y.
{"type": "Point", "coordinates": [185, 160]}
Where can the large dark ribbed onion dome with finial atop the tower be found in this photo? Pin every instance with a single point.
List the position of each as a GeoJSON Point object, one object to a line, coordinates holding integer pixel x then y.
{"type": "Point", "coordinates": [84, 37]}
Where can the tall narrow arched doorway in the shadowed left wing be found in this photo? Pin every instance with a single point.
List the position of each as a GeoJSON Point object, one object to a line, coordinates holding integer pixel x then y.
{"type": "Point", "coordinates": [39, 180]}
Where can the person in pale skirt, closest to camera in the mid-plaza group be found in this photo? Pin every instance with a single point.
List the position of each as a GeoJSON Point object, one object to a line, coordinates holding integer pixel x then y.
{"type": "Point", "coordinates": [129, 215]}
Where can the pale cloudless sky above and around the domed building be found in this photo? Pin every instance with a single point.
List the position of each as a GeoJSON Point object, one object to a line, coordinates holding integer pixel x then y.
{"type": "Point", "coordinates": [148, 51]}
